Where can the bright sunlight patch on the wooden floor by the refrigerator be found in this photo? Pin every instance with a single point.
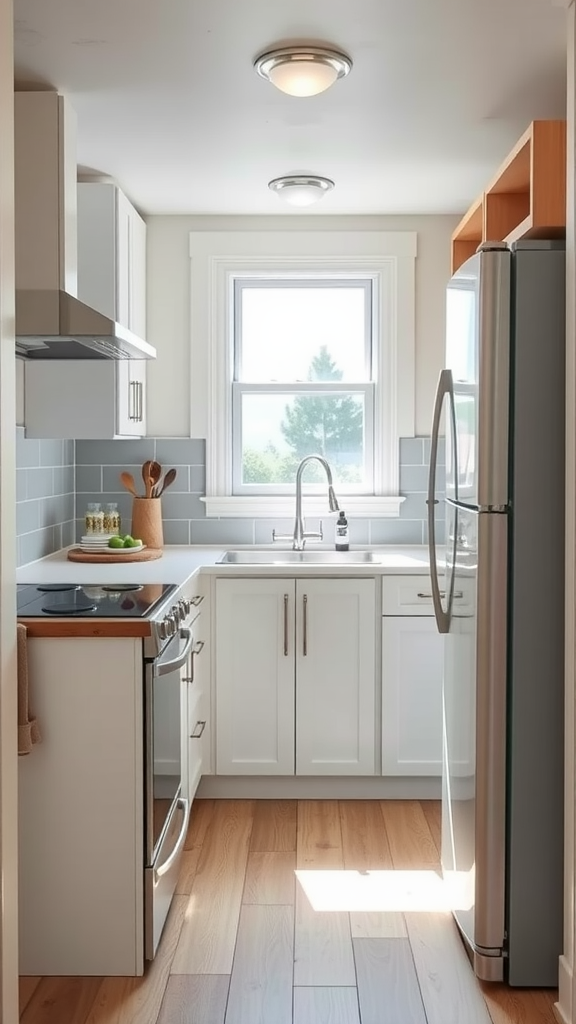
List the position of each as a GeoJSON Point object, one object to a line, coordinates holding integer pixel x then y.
{"type": "Point", "coordinates": [396, 890]}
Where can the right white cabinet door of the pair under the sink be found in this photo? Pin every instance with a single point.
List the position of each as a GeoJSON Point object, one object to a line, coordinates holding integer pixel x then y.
{"type": "Point", "coordinates": [336, 677]}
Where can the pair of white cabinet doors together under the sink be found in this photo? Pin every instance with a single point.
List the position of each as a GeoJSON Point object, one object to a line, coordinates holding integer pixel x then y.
{"type": "Point", "coordinates": [296, 677]}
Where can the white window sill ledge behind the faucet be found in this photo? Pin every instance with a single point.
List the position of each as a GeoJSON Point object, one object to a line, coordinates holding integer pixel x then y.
{"type": "Point", "coordinates": [282, 507]}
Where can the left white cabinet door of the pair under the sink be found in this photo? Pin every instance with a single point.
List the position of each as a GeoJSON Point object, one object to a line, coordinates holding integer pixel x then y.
{"type": "Point", "coordinates": [255, 674]}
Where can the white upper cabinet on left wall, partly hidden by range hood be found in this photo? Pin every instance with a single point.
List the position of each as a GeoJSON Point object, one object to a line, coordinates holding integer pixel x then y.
{"type": "Point", "coordinates": [98, 399]}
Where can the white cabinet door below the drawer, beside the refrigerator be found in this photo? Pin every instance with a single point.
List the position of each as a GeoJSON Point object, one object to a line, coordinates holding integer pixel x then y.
{"type": "Point", "coordinates": [413, 670]}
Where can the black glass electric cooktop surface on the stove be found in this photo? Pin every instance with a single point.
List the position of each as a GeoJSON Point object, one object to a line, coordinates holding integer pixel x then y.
{"type": "Point", "coordinates": [104, 602]}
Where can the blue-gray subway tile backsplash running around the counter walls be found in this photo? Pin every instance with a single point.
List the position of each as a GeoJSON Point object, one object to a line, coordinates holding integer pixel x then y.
{"type": "Point", "coordinates": [53, 497]}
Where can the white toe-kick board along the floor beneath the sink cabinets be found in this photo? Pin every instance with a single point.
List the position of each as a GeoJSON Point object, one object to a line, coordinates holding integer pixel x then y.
{"type": "Point", "coordinates": [321, 788]}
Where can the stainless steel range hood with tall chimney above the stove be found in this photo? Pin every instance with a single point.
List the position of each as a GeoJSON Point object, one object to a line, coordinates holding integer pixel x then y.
{"type": "Point", "coordinates": [52, 322]}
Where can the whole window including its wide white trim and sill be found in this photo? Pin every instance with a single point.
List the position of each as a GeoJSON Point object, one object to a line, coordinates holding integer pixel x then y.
{"type": "Point", "coordinates": [308, 343]}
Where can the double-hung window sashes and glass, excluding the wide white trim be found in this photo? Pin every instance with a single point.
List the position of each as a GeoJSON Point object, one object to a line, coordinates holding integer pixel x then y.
{"type": "Point", "coordinates": [304, 382]}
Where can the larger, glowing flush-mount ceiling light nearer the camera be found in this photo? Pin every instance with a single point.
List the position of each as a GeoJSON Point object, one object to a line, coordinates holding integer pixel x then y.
{"type": "Point", "coordinates": [303, 71]}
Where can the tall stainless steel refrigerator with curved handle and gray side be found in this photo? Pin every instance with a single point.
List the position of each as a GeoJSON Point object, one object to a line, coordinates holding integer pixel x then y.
{"type": "Point", "coordinates": [501, 606]}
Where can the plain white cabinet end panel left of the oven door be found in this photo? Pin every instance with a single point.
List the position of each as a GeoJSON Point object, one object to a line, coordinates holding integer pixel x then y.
{"type": "Point", "coordinates": [80, 821]}
